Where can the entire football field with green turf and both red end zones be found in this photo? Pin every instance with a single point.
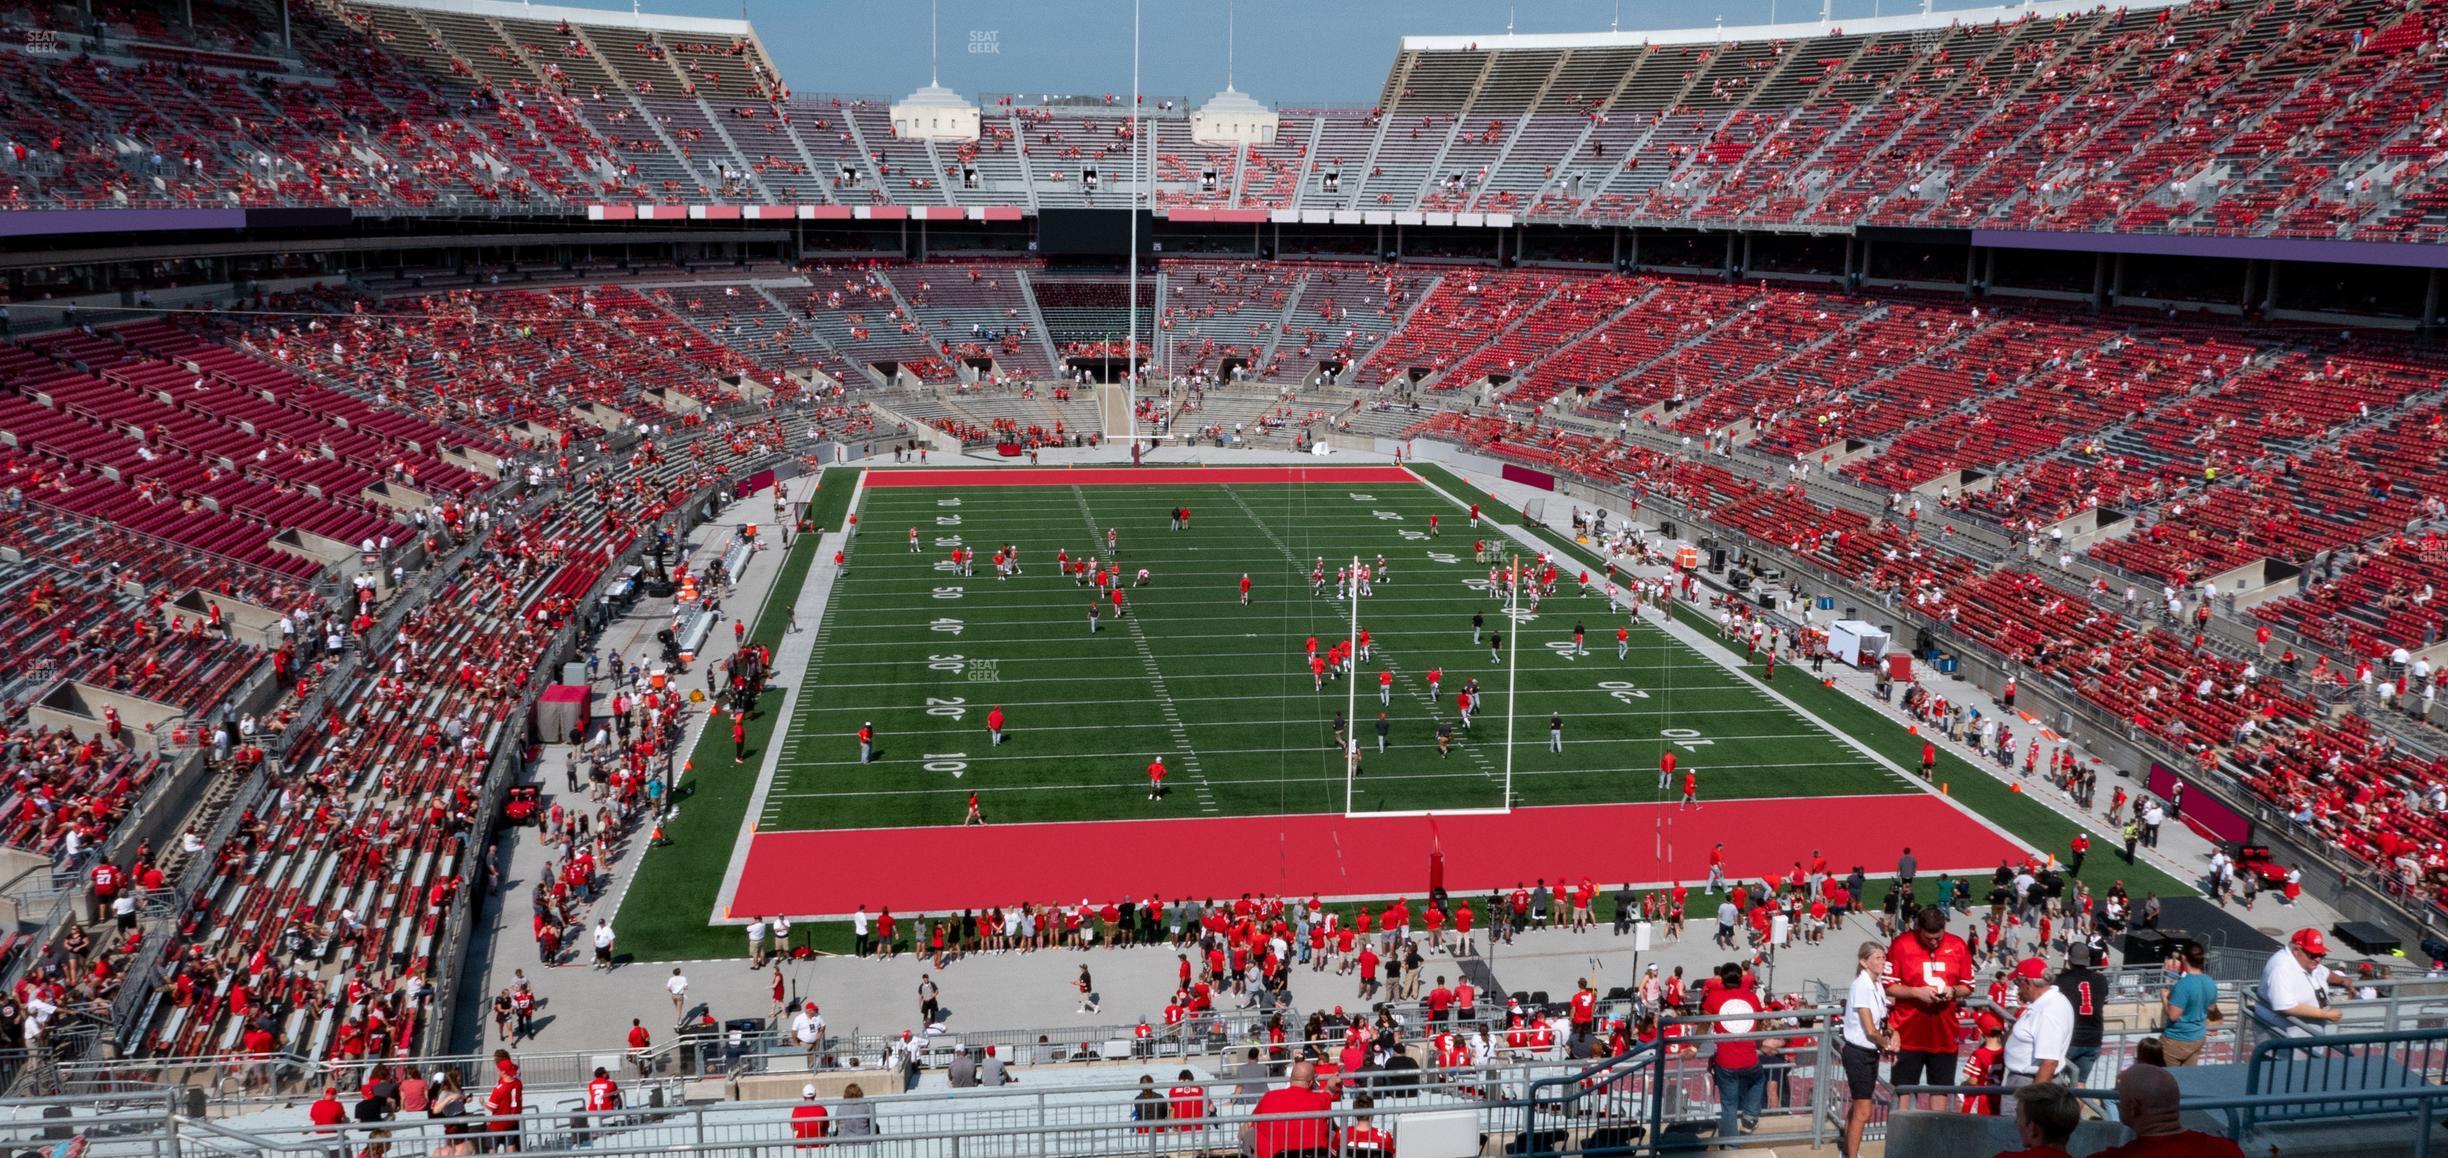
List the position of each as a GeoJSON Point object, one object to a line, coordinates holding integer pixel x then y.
{"type": "Point", "coordinates": [1257, 792]}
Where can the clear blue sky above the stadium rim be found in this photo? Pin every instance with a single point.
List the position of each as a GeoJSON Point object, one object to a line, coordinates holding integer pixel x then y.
{"type": "Point", "coordinates": [1086, 45]}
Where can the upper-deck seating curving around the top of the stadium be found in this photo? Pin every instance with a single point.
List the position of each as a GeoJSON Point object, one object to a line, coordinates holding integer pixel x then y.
{"type": "Point", "coordinates": [2268, 116]}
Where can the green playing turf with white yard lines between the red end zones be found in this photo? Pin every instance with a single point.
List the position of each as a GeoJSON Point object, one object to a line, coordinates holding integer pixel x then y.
{"type": "Point", "coordinates": [1223, 692]}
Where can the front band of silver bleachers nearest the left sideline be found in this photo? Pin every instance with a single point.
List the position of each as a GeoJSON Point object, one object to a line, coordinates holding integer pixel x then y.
{"type": "Point", "coordinates": [368, 843]}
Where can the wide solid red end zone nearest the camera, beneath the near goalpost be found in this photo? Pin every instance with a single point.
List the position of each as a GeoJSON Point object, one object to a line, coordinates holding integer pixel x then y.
{"type": "Point", "coordinates": [931, 870]}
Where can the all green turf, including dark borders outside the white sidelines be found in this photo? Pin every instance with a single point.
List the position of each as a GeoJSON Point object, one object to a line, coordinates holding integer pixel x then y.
{"type": "Point", "coordinates": [1242, 704]}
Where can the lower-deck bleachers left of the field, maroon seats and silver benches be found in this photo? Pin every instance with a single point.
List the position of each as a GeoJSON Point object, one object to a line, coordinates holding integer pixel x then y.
{"type": "Point", "coordinates": [165, 457]}
